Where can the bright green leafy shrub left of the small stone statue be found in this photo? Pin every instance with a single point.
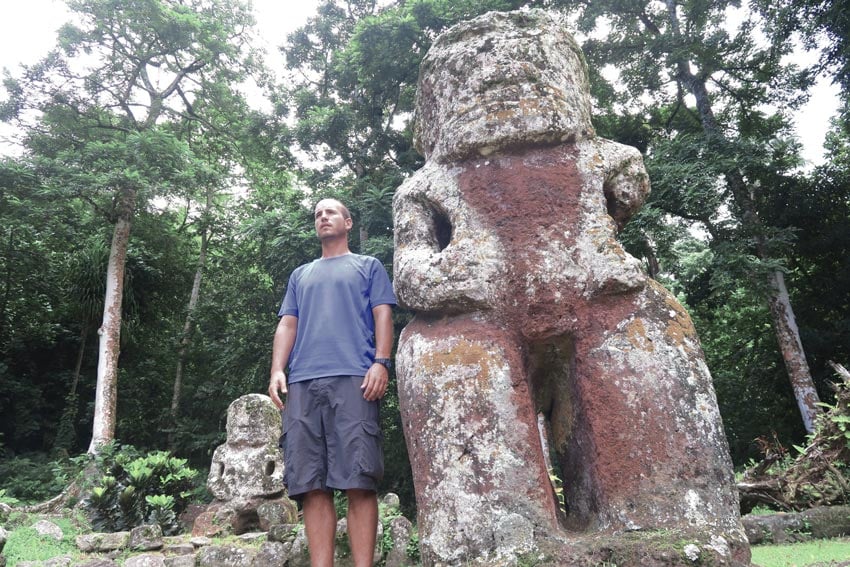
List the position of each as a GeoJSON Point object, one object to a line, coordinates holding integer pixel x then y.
{"type": "Point", "coordinates": [139, 489]}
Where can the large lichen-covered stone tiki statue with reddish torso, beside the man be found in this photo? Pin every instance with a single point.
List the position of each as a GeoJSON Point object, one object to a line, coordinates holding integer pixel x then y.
{"type": "Point", "coordinates": [528, 310]}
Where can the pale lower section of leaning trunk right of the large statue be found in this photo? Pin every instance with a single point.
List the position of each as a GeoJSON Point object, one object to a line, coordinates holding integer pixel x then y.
{"type": "Point", "coordinates": [793, 354]}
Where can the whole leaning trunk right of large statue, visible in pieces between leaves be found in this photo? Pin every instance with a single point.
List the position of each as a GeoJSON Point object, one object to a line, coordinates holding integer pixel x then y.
{"type": "Point", "coordinates": [781, 312]}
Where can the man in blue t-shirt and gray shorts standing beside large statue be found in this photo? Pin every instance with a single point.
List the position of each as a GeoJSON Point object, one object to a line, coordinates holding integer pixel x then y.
{"type": "Point", "coordinates": [336, 334]}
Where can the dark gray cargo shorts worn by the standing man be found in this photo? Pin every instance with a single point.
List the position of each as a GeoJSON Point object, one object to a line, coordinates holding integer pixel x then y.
{"type": "Point", "coordinates": [331, 437]}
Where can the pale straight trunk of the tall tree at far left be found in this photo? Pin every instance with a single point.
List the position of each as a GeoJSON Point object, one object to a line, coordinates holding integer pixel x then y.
{"type": "Point", "coordinates": [106, 393]}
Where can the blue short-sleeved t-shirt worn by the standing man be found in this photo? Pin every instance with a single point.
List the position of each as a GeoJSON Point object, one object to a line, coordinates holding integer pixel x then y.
{"type": "Point", "coordinates": [333, 300]}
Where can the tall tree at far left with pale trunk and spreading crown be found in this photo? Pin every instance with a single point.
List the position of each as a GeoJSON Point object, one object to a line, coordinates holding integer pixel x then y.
{"type": "Point", "coordinates": [123, 71]}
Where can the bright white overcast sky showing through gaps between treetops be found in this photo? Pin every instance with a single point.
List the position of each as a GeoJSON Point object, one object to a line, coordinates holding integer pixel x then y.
{"type": "Point", "coordinates": [28, 32]}
